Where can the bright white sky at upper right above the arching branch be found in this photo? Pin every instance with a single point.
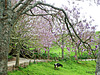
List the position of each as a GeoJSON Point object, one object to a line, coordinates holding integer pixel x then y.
{"type": "Point", "coordinates": [93, 10]}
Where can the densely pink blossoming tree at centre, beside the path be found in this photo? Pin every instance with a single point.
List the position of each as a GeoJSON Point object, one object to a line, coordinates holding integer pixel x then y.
{"type": "Point", "coordinates": [45, 35]}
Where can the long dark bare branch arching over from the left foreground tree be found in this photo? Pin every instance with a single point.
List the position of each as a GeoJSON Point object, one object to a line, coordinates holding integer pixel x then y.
{"type": "Point", "coordinates": [66, 20]}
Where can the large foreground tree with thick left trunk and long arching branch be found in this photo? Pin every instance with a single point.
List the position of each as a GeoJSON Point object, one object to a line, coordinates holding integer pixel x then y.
{"type": "Point", "coordinates": [10, 15]}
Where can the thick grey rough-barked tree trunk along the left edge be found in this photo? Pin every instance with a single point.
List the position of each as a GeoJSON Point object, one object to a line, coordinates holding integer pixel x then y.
{"type": "Point", "coordinates": [5, 23]}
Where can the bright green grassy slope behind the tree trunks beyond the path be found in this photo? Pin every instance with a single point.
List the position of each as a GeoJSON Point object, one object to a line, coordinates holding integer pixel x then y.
{"type": "Point", "coordinates": [56, 51]}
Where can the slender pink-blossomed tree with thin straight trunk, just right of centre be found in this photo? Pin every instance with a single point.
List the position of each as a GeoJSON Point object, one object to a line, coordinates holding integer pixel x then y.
{"type": "Point", "coordinates": [60, 36]}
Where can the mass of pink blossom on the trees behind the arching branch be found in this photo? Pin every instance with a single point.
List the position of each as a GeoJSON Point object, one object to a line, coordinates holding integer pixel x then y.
{"type": "Point", "coordinates": [48, 29]}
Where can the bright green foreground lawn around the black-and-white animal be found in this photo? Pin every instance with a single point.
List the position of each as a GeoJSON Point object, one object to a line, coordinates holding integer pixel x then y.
{"type": "Point", "coordinates": [69, 68]}
